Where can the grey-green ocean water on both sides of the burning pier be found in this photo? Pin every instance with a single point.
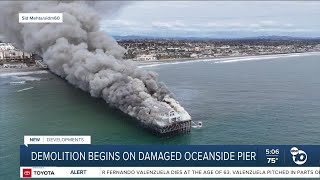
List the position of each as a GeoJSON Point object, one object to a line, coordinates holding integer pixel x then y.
{"type": "Point", "coordinates": [257, 101]}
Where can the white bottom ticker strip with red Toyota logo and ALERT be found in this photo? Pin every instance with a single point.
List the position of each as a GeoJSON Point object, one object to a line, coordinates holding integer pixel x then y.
{"type": "Point", "coordinates": [169, 172]}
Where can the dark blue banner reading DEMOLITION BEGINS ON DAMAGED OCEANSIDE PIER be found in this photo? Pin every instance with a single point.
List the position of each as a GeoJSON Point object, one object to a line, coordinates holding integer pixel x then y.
{"type": "Point", "coordinates": [171, 155]}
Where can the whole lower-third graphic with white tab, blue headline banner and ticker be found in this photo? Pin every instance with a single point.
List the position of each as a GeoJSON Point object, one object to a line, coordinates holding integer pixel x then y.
{"type": "Point", "coordinates": [40, 159]}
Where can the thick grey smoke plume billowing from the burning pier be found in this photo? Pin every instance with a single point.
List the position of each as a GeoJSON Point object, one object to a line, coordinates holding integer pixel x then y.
{"type": "Point", "coordinates": [86, 57]}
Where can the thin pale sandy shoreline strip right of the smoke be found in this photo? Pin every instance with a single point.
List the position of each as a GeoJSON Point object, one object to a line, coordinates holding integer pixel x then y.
{"type": "Point", "coordinates": [163, 61]}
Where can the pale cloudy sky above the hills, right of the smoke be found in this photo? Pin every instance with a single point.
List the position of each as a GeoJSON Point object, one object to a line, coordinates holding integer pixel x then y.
{"type": "Point", "coordinates": [215, 19]}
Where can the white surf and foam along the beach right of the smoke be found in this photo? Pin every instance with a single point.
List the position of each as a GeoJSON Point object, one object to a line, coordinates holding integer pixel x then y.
{"type": "Point", "coordinates": [223, 59]}
